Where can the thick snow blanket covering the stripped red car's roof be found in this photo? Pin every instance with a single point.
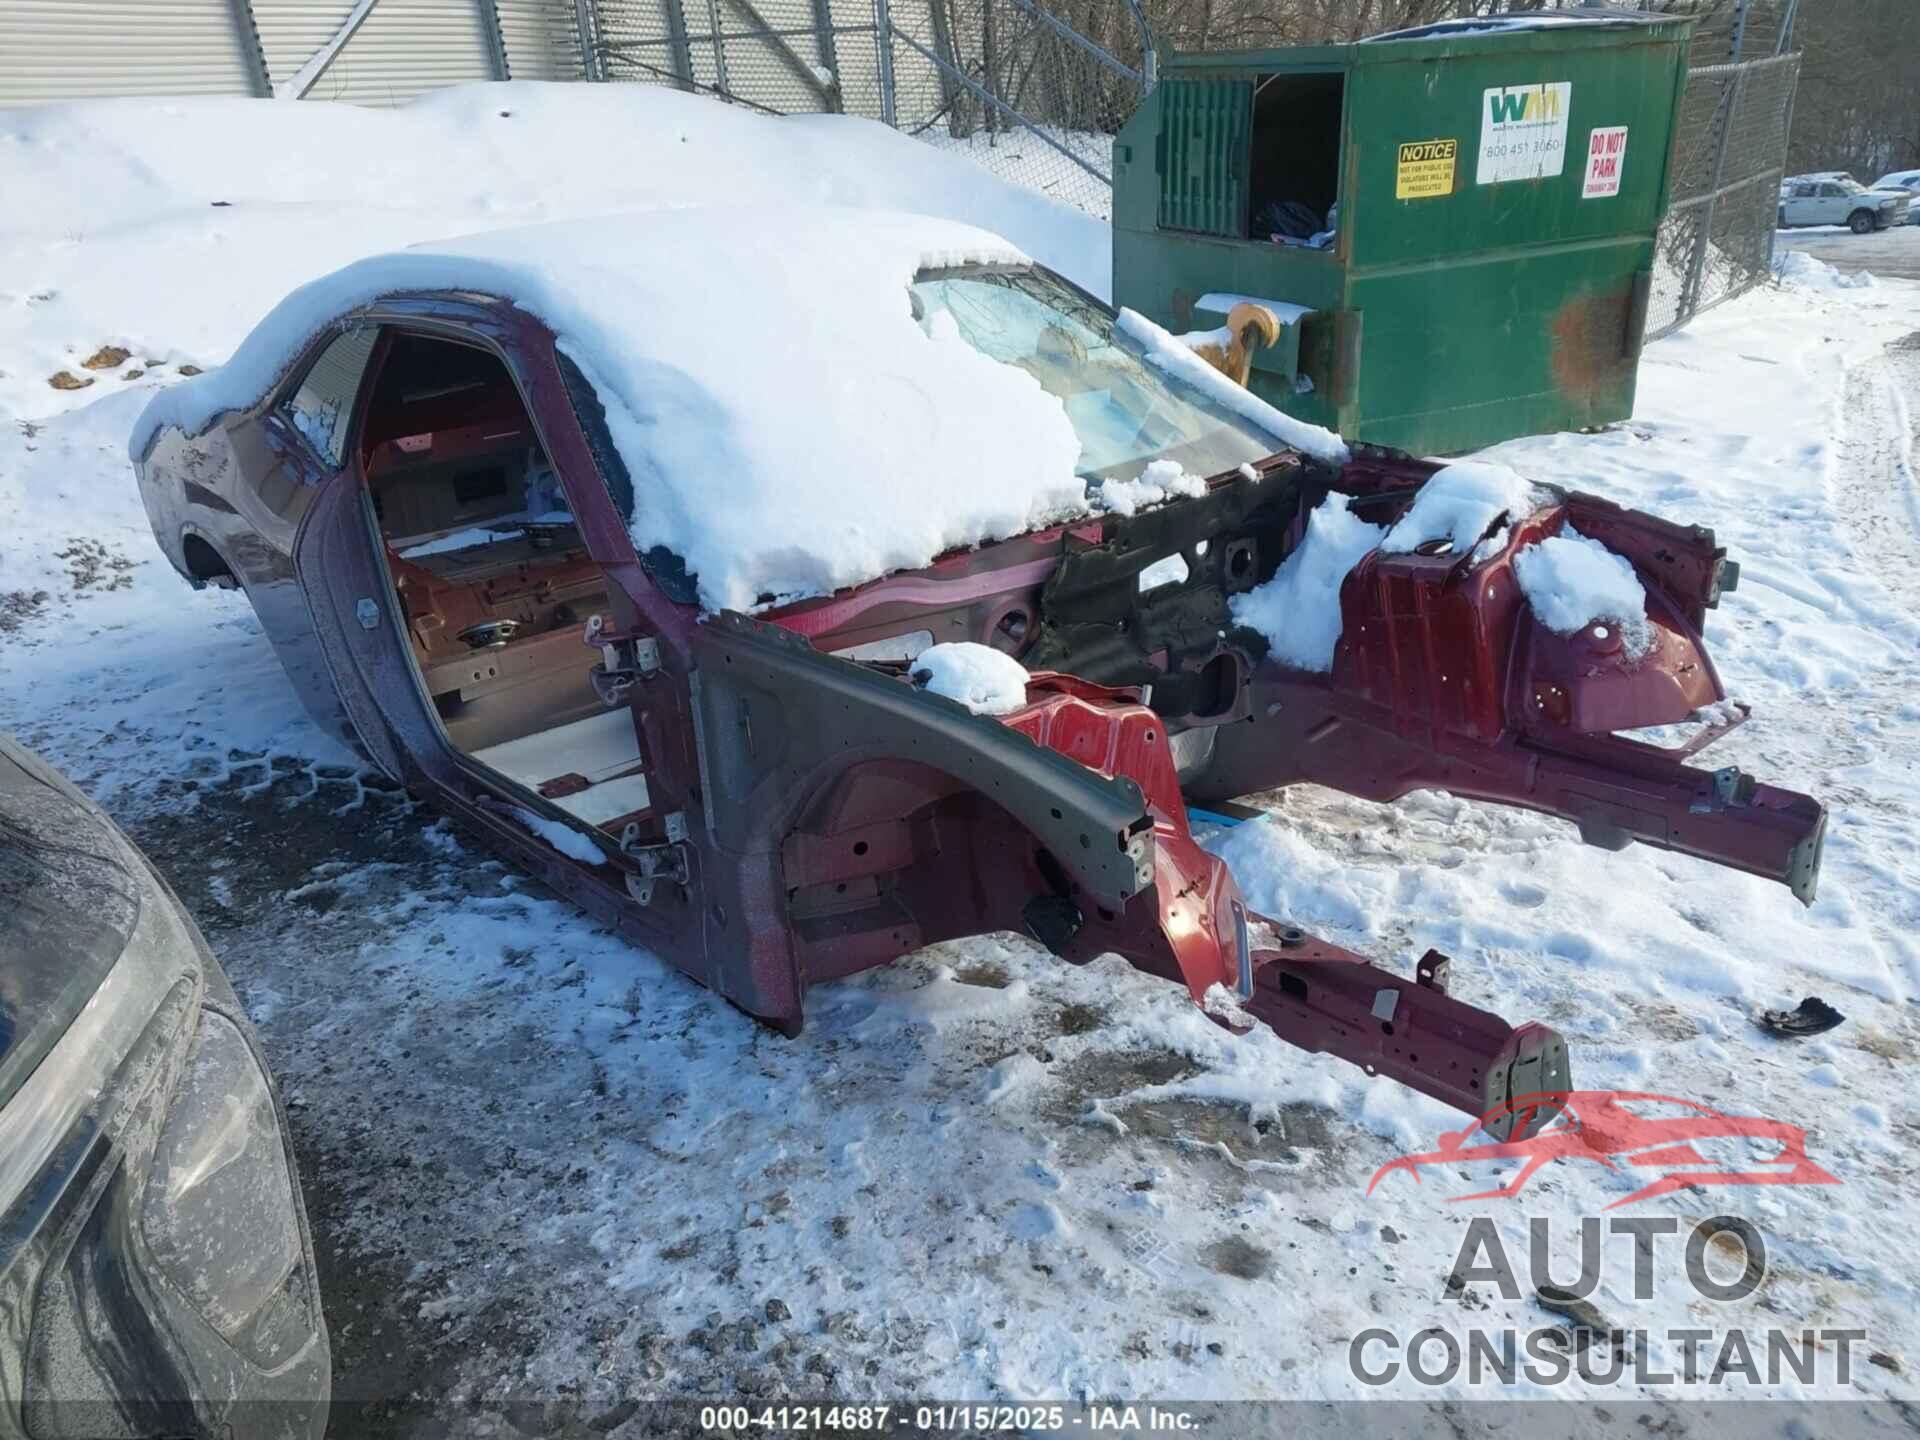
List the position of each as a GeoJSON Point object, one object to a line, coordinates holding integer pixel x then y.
{"type": "Point", "coordinates": [788, 425]}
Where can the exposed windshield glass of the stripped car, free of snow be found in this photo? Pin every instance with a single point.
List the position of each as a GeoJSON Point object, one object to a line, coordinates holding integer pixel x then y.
{"type": "Point", "coordinates": [1124, 412]}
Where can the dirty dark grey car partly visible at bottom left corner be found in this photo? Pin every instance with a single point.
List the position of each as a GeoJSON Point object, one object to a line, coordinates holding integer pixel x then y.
{"type": "Point", "coordinates": [155, 1255]}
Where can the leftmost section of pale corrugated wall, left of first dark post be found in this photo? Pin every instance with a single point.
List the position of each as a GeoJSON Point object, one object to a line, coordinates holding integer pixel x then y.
{"type": "Point", "coordinates": [76, 49]}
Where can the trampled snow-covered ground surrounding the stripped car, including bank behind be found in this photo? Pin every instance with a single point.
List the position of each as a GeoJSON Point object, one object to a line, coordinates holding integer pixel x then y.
{"type": "Point", "coordinates": [544, 1164]}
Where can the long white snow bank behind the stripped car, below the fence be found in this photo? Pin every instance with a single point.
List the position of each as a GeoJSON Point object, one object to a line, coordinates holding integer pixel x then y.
{"type": "Point", "coordinates": [235, 203]}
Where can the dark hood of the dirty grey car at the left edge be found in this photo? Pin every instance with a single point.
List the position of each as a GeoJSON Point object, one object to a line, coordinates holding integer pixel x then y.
{"type": "Point", "coordinates": [68, 905]}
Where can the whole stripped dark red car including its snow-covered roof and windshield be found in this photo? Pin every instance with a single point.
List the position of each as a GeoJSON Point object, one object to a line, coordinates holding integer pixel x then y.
{"type": "Point", "coordinates": [631, 573]}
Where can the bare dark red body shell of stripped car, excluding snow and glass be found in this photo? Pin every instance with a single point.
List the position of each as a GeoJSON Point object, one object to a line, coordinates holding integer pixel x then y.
{"type": "Point", "coordinates": [815, 815]}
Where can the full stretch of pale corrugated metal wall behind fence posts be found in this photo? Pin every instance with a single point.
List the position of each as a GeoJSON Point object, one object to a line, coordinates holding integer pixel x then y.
{"type": "Point", "coordinates": [777, 55]}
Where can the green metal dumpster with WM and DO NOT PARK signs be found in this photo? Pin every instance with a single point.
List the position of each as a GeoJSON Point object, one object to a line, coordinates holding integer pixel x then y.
{"type": "Point", "coordinates": [1456, 224]}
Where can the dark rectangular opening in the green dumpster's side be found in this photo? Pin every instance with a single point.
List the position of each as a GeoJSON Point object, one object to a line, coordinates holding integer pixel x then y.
{"type": "Point", "coordinates": [1295, 162]}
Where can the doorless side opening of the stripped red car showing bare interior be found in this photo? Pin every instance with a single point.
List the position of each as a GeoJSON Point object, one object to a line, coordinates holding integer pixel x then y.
{"type": "Point", "coordinates": [494, 581]}
